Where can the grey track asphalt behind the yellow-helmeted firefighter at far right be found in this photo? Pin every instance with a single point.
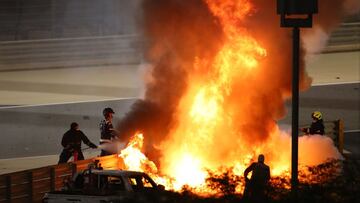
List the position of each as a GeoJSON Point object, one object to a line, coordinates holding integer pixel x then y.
{"type": "Point", "coordinates": [338, 101]}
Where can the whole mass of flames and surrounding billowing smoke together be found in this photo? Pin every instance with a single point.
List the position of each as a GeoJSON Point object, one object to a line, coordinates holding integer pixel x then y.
{"type": "Point", "coordinates": [216, 87]}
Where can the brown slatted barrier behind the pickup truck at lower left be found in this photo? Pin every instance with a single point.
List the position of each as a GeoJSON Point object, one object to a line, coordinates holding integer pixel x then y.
{"type": "Point", "coordinates": [31, 185]}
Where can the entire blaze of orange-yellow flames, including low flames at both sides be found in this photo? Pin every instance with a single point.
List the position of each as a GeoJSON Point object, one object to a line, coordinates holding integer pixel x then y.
{"type": "Point", "coordinates": [228, 113]}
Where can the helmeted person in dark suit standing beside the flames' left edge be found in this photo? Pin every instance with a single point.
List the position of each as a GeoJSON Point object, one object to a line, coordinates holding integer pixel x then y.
{"type": "Point", "coordinates": [108, 133]}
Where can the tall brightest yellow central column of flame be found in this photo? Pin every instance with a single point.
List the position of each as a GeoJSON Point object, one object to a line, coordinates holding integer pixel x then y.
{"type": "Point", "coordinates": [203, 113]}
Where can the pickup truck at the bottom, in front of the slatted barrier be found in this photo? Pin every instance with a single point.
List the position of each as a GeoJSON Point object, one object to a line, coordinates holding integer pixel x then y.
{"type": "Point", "coordinates": [109, 186]}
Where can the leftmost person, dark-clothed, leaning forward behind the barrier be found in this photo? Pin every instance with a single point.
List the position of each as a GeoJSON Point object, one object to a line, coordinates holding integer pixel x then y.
{"type": "Point", "coordinates": [71, 142]}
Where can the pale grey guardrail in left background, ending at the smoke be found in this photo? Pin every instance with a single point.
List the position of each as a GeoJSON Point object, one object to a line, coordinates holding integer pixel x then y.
{"type": "Point", "coordinates": [71, 52]}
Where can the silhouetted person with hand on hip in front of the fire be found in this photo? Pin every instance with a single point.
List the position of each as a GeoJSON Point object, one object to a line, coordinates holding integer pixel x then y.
{"type": "Point", "coordinates": [255, 187]}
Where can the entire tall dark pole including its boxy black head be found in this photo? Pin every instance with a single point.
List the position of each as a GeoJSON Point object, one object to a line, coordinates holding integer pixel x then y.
{"type": "Point", "coordinates": [286, 8]}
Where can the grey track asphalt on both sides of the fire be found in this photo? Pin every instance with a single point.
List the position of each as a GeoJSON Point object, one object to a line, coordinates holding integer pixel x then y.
{"type": "Point", "coordinates": [37, 130]}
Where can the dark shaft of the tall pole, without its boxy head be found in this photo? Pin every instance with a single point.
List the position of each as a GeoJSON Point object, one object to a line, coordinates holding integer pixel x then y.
{"type": "Point", "coordinates": [295, 111]}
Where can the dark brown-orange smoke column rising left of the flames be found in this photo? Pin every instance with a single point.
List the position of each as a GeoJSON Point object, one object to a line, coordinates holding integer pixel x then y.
{"type": "Point", "coordinates": [175, 31]}
